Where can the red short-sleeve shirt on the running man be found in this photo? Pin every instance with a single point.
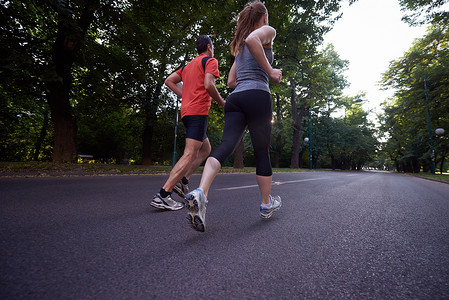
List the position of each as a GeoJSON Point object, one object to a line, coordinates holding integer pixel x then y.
{"type": "Point", "coordinates": [195, 98]}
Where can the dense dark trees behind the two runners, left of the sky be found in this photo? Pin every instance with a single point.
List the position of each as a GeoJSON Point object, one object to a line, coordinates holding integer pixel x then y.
{"type": "Point", "coordinates": [86, 77]}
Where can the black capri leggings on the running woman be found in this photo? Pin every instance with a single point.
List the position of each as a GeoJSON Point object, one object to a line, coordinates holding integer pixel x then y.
{"type": "Point", "coordinates": [253, 108]}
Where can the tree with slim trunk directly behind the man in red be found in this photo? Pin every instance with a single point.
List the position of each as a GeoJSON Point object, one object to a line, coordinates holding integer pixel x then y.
{"type": "Point", "coordinates": [165, 38]}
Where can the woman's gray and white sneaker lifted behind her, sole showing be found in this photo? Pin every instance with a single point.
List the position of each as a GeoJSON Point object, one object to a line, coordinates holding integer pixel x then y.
{"type": "Point", "coordinates": [196, 202]}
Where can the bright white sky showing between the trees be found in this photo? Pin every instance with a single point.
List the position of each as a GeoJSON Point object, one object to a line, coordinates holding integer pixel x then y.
{"type": "Point", "coordinates": [369, 35]}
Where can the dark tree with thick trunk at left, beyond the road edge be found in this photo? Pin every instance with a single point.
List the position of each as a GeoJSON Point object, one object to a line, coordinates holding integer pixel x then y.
{"type": "Point", "coordinates": [50, 35]}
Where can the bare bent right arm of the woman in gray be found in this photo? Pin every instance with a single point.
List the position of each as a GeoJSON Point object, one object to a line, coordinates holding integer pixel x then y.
{"type": "Point", "coordinates": [255, 42]}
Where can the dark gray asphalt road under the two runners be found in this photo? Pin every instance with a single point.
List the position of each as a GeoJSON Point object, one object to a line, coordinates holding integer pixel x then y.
{"type": "Point", "coordinates": [339, 235]}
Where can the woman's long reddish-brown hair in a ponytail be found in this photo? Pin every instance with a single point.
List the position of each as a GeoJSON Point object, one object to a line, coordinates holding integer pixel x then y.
{"type": "Point", "coordinates": [246, 21]}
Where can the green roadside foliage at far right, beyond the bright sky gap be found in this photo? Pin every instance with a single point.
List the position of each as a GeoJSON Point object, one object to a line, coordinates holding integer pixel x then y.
{"type": "Point", "coordinates": [421, 101]}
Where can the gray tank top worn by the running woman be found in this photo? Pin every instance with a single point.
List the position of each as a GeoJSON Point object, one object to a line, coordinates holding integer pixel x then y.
{"type": "Point", "coordinates": [250, 76]}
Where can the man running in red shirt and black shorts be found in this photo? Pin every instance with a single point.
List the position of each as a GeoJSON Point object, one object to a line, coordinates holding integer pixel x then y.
{"type": "Point", "coordinates": [198, 78]}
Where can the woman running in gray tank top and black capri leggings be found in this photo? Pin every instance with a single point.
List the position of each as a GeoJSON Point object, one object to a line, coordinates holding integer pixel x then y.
{"type": "Point", "coordinates": [248, 105]}
